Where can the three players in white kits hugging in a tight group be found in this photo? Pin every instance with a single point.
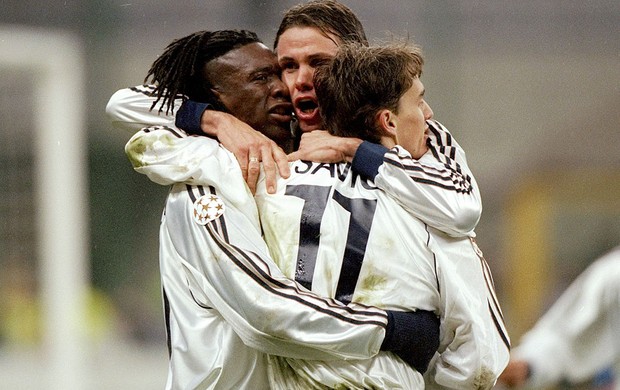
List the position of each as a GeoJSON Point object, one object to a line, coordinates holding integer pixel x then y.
{"type": "Point", "coordinates": [353, 266]}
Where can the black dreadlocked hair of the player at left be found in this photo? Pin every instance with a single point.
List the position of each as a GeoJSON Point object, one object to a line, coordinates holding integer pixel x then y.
{"type": "Point", "coordinates": [179, 71]}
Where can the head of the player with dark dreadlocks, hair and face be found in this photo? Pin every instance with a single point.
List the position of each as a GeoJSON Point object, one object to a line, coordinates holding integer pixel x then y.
{"type": "Point", "coordinates": [185, 70]}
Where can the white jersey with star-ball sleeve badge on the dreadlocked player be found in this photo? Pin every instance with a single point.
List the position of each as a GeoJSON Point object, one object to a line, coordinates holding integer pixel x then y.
{"type": "Point", "coordinates": [227, 304]}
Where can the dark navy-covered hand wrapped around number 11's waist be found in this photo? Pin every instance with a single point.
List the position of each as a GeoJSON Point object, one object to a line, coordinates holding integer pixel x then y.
{"type": "Point", "coordinates": [413, 336]}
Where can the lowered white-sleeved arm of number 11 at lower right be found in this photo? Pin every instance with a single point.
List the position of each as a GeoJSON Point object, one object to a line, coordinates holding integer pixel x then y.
{"type": "Point", "coordinates": [476, 347]}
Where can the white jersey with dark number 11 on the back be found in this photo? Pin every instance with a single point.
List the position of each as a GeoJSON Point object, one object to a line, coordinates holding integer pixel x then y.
{"type": "Point", "coordinates": [340, 236]}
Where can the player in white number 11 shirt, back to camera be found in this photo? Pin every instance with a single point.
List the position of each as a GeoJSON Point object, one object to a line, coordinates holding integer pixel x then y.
{"type": "Point", "coordinates": [386, 256]}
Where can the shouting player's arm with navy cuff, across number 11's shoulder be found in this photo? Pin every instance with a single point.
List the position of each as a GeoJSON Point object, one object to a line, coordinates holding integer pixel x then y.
{"type": "Point", "coordinates": [439, 189]}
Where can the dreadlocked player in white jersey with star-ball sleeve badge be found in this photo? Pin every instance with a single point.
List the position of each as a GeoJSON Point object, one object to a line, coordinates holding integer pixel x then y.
{"type": "Point", "coordinates": [227, 305]}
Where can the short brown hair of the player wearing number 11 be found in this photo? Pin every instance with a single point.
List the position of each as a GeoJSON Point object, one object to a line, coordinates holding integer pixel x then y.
{"type": "Point", "coordinates": [360, 81]}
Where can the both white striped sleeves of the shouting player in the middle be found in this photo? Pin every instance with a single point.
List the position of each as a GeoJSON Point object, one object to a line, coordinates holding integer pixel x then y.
{"type": "Point", "coordinates": [445, 195]}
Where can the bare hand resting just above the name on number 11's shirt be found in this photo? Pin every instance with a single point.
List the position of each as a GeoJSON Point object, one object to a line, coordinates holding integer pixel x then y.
{"type": "Point", "coordinates": [320, 146]}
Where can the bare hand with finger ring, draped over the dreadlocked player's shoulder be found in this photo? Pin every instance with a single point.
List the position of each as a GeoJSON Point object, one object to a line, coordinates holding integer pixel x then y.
{"type": "Point", "coordinates": [249, 146]}
